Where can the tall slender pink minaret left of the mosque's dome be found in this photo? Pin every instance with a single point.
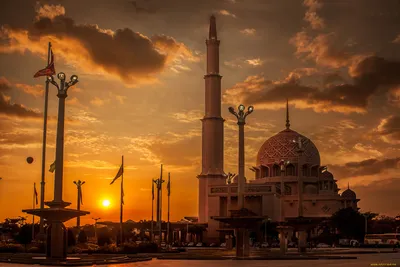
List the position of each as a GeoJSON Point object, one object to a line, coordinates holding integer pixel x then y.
{"type": "Point", "coordinates": [213, 125]}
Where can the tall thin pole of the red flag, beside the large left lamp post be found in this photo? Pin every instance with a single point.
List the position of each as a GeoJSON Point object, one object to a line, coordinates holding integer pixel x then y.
{"type": "Point", "coordinates": [42, 183]}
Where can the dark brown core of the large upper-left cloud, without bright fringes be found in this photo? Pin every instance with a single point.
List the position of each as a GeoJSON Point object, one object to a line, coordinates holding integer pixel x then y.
{"type": "Point", "coordinates": [124, 52]}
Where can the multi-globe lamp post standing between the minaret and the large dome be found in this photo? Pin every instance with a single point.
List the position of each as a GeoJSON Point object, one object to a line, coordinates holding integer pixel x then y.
{"type": "Point", "coordinates": [241, 121]}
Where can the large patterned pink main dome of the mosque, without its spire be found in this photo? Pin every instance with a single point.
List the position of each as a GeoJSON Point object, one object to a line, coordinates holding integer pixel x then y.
{"type": "Point", "coordinates": [281, 146]}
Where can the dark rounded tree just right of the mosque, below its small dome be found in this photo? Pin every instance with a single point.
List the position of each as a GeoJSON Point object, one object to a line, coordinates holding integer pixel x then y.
{"type": "Point", "coordinates": [350, 223]}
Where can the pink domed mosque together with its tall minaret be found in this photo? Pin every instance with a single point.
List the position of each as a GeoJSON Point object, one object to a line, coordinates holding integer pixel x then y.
{"type": "Point", "coordinates": [288, 183]}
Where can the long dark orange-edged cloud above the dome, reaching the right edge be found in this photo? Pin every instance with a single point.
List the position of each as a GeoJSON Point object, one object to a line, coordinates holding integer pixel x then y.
{"type": "Point", "coordinates": [370, 76]}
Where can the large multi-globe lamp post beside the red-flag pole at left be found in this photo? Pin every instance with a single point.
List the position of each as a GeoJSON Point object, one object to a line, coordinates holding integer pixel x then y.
{"type": "Point", "coordinates": [62, 95]}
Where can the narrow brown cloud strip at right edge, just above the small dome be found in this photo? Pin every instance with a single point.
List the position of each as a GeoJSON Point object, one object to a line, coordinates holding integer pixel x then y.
{"type": "Point", "coordinates": [363, 168]}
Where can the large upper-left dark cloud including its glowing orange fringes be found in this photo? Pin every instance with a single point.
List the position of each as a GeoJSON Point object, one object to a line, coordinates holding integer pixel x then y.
{"type": "Point", "coordinates": [124, 53]}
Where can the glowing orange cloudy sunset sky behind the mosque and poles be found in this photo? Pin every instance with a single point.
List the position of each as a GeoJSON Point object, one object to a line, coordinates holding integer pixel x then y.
{"type": "Point", "coordinates": [141, 94]}
